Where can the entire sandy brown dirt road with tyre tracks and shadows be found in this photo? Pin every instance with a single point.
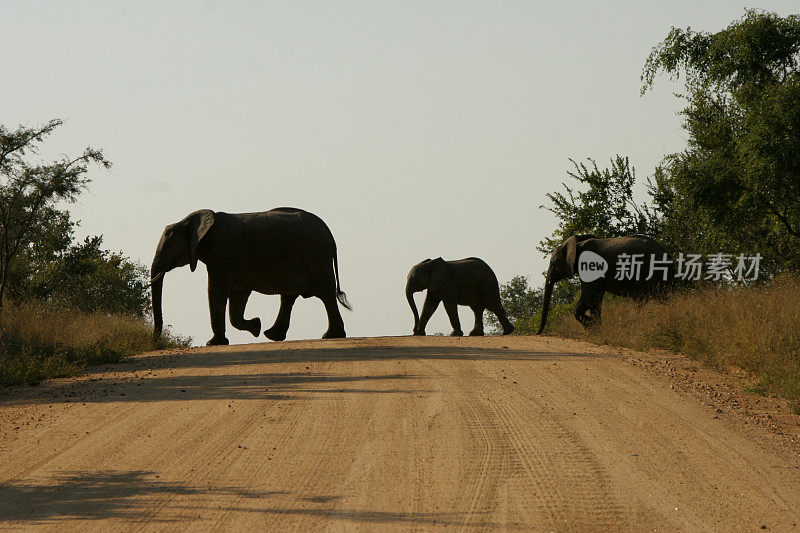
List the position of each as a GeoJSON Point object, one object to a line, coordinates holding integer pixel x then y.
{"type": "Point", "coordinates": [401, 433]}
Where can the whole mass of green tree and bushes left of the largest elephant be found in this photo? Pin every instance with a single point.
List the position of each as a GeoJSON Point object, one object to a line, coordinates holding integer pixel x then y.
{"type": "Point", "coordinates": [38, 258]}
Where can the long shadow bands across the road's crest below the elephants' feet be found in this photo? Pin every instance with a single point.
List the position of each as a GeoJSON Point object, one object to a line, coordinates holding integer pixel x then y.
{"type": "Point", "coordinates": [237, 373]}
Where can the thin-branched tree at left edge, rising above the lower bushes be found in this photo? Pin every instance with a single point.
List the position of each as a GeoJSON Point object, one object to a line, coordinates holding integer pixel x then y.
{"type": "Point", "coordinates": [29, 190]}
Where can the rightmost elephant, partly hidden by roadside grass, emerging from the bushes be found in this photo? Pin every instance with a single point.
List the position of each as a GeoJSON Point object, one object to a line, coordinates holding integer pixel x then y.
{"type": "Point", "coordinates": [615, 251]}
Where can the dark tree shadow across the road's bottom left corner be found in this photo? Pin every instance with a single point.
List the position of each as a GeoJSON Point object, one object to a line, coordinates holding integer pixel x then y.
{"type": "Point", "coordinates": [135, 497]}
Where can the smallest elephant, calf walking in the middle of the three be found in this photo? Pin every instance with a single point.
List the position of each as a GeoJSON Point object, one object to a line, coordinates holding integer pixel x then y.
{"type": "Point", "coordinates": [469, 282]}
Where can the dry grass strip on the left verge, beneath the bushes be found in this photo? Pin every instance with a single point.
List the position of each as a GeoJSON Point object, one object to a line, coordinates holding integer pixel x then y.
{"type": "Point", "coordinates": [39, 341]}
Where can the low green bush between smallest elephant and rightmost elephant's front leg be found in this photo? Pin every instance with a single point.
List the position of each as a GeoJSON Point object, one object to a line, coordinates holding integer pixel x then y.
{"type": "Point", "coordinates": [523, 304]}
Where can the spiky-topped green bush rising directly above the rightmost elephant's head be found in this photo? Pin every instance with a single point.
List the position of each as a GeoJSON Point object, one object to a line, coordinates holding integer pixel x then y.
{"type": "Point", "coordinates": [606, 208]}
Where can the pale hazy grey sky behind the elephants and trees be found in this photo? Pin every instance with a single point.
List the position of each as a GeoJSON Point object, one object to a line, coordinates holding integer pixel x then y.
{"type": "Point", "coordinates": [414, 129]}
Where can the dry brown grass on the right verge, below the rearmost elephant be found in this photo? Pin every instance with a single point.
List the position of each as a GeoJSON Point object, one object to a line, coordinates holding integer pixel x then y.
{"type": "Point", "coordinates": [754, 328]}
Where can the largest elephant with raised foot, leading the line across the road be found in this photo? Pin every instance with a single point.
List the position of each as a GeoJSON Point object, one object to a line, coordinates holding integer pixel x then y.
{"type": "Point", "coordinates": [284, 251]}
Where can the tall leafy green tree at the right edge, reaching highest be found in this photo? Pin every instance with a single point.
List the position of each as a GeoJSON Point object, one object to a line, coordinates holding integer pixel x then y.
{"type": "Point", "coordinates": [738, 182]}
